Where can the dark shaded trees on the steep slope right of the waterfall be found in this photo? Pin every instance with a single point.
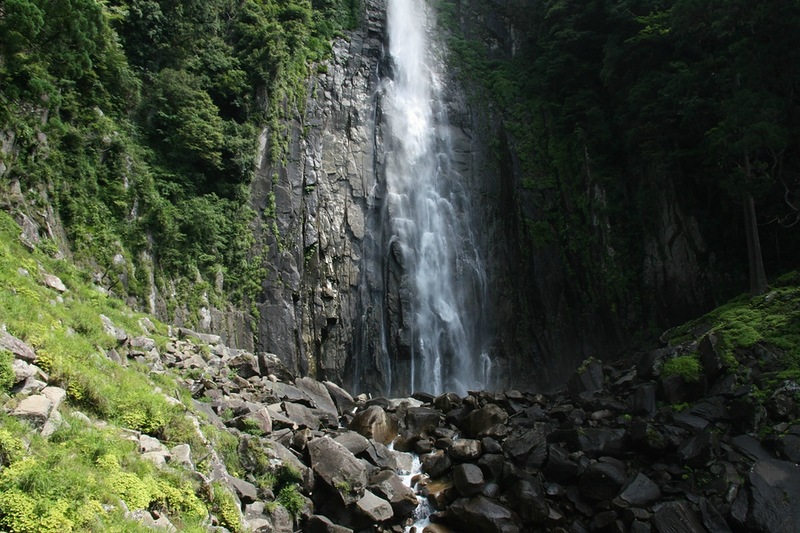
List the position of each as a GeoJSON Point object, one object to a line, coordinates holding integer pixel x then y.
{"type": "Point", "coordinates": [608, 108]}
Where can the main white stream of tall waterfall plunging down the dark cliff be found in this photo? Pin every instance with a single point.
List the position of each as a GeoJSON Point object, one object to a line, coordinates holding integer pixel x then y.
{"type": "Point", "coordinates": [427, 216]}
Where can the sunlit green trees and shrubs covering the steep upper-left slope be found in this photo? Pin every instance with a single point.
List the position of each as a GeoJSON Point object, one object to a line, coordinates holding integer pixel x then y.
{"type": "Point", "coordinates": [138, 121]}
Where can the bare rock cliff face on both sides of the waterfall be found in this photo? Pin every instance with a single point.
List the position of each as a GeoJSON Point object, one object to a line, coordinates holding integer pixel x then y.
{"type": "Point", "coordinates": [321, 219]}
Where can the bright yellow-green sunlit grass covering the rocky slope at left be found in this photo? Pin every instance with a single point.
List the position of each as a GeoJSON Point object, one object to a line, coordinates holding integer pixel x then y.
{"type": "Point", "coordinates": [74, 480]}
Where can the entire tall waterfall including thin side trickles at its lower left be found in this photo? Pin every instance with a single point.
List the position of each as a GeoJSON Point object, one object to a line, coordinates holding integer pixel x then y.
{"type": "Point", "coordinates": [429, 288]}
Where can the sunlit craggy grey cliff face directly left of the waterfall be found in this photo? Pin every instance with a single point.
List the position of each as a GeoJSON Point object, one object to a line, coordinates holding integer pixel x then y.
{"type": "Point", "coordinates": [315, 209]}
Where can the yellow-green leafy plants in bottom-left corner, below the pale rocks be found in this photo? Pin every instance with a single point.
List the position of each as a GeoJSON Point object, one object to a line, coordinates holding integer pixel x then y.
{"type": "Point", "coordinates": [62, 484]}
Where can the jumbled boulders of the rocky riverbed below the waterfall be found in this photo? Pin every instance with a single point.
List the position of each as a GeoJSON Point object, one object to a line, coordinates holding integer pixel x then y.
{"type": "Point", "coordinates": [624, 447]}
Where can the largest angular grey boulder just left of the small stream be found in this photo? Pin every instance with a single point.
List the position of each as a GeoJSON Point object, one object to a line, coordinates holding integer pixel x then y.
{"type": "Point", "coordinates": [338, 468]}
